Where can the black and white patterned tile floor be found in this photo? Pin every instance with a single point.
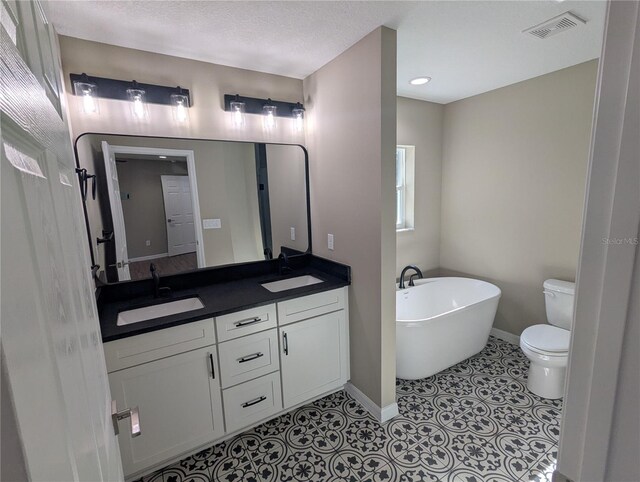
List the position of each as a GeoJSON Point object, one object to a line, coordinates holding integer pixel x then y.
{"type": "Point", "coordinates": [474, 422]}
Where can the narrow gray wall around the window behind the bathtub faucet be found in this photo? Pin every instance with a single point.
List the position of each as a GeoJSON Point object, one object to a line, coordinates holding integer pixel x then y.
{"type": "Point", "coordinates": [420, 125]}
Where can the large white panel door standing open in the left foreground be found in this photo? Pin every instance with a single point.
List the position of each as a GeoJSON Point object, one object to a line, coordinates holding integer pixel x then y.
{"type": "Point", "coordinates": [53, 363]}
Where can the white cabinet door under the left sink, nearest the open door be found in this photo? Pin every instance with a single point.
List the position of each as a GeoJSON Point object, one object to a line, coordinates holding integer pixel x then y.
{"type": "Point", "coordinates": [179, 403]}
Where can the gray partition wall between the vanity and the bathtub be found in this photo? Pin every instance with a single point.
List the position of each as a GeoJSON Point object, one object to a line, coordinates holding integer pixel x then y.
{"type": "Point", "coordinates": [351, 135]}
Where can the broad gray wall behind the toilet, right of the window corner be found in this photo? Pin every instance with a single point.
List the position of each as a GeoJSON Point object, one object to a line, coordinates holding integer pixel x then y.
{"type": "Point", "coordinates": [513, 184]}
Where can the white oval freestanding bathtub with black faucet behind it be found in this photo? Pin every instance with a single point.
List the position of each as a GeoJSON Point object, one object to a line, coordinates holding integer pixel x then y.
{"type": "Point", "coordinates": [440, 322]}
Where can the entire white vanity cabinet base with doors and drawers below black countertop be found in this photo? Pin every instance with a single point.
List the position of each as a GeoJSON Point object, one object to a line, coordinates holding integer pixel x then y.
{"type": "Point", "coordinates": [256, 363]}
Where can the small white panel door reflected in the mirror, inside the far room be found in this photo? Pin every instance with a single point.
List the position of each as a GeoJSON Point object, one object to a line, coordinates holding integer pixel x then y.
{"type": "Point", "coordinates": [178, 208]}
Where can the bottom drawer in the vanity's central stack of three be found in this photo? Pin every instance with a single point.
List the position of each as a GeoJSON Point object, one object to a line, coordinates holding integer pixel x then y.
{"type": "Point", "coordinates": [252, 401]}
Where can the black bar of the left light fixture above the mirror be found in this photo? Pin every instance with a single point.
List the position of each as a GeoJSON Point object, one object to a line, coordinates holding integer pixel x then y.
{"type": "Point", "coordinates": [117, 89]}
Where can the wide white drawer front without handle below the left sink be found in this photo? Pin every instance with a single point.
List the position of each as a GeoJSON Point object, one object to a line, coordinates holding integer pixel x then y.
{"type": "Point", "coordinates": [135, 350]}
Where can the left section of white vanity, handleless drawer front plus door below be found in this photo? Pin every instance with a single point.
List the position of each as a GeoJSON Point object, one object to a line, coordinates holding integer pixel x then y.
{"type": "Point", "coordinates": [175, 387]}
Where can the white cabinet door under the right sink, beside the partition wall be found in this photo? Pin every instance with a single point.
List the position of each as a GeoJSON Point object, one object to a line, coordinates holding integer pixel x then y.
{"type": "Point", "coordinates": [313, 357]}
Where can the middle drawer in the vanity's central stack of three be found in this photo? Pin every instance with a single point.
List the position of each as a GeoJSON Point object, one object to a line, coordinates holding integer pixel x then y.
{"type": "Point", "coordinates": [248, 357]}
